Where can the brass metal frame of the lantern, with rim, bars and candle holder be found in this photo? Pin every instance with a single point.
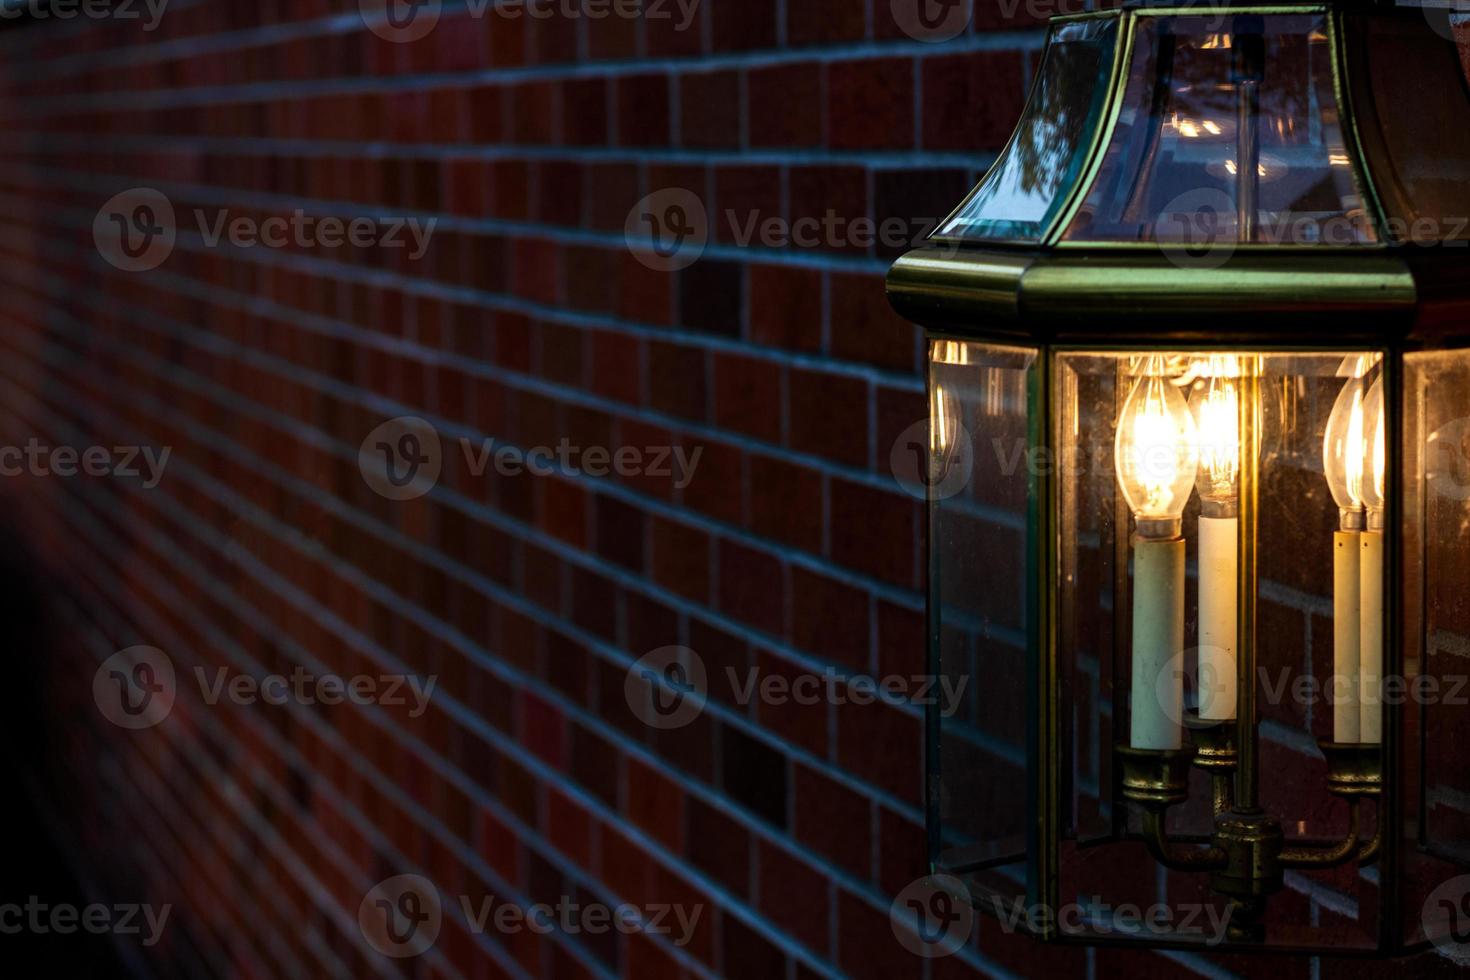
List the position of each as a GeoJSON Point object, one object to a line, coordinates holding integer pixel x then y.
{"type": "Point", "coordinates": [1056, 298]}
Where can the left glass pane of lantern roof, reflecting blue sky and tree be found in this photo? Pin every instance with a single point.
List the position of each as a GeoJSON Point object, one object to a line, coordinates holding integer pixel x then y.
{"type": "Point", "coordinates": [1022, 193]}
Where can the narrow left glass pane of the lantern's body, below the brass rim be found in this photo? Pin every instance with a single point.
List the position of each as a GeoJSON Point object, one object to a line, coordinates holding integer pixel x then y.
{"type": "Point", "coordinates": [983, 528]}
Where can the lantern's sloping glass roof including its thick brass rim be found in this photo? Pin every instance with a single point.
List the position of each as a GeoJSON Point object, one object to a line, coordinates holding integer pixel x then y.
{"type": "Point", "coordinates": [1221, 174]}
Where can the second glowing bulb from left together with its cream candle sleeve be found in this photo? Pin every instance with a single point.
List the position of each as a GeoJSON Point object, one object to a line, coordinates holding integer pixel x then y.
{"type": "Point", "coordinates": [1216, 408]}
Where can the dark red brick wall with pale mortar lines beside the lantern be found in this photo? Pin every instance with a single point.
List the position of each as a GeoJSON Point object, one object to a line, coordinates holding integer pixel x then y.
{"type": "Point", "coordinates": [528, 597]}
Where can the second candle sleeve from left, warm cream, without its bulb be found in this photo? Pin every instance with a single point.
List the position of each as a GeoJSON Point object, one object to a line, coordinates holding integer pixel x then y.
{"type": "Point", "coordinates": [1219, 584]}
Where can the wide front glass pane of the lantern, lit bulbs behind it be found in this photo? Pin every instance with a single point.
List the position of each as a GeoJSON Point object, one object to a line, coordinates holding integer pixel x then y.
{"type": "Point", "coordinates": [1149, 578]}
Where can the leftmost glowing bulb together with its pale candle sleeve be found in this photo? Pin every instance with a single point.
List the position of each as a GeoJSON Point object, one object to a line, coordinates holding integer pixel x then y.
{"type": "Point", "coordinates": [1156, 456]}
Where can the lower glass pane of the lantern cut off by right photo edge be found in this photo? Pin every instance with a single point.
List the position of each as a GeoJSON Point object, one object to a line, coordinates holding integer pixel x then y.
{"type": "Point", "coordinates": [1437, 652]}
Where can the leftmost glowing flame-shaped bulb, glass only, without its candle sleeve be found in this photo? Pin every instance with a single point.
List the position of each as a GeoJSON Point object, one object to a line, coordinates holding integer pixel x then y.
{"type": "Point", "coordinates": [1156, 452]}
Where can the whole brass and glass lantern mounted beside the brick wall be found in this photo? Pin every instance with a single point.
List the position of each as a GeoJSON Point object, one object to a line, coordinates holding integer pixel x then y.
{"type": "Point", "coordinates": [1200, 490]}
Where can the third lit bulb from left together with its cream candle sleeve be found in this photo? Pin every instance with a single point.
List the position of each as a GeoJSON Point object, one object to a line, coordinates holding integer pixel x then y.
{"type": "Point", "coordinates": [1346, 459]}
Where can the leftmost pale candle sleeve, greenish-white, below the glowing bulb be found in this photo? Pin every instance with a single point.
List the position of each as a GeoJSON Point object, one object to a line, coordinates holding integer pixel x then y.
{"type": "Point", "coordinates": [1156, 707]}
